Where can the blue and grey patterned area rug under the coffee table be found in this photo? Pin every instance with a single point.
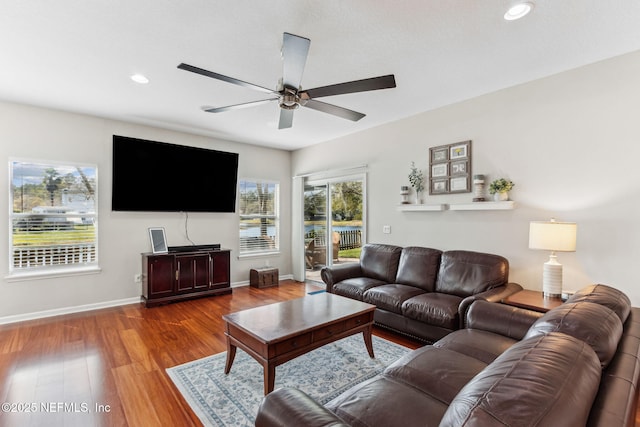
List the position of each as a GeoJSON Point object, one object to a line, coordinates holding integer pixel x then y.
{"type": "Point", "coordinates": [233, 400]}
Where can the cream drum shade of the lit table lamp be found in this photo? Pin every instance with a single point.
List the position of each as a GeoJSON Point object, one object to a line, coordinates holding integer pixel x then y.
{"type": "Point", "coordinates": [553, 236]}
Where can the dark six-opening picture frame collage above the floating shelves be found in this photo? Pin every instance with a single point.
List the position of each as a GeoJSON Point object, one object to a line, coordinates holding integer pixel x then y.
{"type": "Point", "coordinates": [450, 168]}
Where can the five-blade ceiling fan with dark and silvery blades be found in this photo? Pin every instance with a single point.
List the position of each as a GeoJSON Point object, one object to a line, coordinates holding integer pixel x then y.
{"type": "Point", "coordinates": [289, 93]}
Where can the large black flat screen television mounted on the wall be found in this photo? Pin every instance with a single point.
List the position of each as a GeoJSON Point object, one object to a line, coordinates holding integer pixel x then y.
{"type": "Point", "coordinates": [159, 177]}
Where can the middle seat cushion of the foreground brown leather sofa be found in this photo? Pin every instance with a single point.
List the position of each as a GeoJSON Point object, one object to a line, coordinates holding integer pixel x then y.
{"type": "Point", "coordinates": [437, 372]}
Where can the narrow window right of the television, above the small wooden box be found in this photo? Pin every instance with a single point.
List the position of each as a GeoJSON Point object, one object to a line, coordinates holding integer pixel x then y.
{"type": "Point", "coordinates": [259, 220]}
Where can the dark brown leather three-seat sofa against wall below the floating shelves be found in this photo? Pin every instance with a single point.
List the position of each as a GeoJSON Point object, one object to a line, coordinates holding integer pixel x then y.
{"type": "Point", "coordinates": [420, 291]}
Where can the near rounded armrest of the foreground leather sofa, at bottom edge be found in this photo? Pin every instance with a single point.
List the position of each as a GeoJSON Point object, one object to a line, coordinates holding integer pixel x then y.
{"type": "Point", "coordinates": [291, 407]}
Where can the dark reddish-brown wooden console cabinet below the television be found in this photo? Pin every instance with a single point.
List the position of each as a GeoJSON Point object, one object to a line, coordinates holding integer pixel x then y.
{"type": "Point", "coordinates": [177, 276]}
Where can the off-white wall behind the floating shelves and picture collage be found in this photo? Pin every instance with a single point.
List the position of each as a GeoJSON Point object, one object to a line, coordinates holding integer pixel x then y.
{"type": "Point", "coordinates": [570, 142]}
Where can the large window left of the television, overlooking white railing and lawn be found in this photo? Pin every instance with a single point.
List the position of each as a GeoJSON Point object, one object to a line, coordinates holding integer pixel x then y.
{"type": "Point", "coordinates": [53, 217]}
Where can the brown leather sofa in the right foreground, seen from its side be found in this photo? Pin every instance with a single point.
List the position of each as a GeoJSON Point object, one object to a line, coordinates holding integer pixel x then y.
{"type": "Point", "coordinates": [576, 365]}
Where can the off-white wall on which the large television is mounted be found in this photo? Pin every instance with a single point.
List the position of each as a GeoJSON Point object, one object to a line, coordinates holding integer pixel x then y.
{"type": "Point", "coordinates": [35, 133]}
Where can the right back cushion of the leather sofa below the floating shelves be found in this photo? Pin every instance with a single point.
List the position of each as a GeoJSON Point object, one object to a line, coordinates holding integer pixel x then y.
{"type": "Point", "coordinates": [465, 273]}
